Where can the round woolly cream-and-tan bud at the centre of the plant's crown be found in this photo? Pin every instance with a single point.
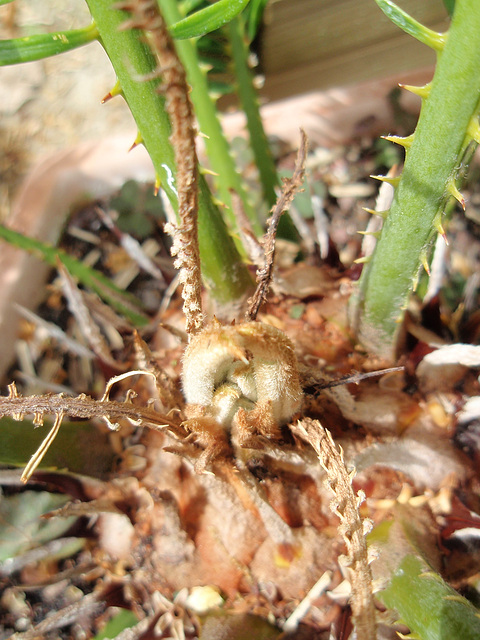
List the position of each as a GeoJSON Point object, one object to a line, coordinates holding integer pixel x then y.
{"type": "Point", "coordinates": [244, 375]}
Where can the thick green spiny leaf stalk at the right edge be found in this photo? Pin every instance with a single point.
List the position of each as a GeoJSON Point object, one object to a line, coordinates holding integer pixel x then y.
{"type": "Point", "coordinates": [448, 123]}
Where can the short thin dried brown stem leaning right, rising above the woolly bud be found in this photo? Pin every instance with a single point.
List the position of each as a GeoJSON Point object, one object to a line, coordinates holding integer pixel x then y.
{"type": "Point", "coordinates": [289, 189]}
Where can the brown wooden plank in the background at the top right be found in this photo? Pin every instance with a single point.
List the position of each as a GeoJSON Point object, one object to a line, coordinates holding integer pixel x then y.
{"type": "Point", "coordinates": [310, 45]}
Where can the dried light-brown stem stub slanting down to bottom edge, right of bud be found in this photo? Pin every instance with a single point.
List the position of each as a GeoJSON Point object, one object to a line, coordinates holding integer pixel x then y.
{"type": "Point", "coordinates": [351, 527]}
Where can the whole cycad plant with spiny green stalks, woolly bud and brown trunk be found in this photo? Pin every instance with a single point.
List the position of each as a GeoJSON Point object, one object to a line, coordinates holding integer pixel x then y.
{"type": "Point", "coordinates": [242, 423]}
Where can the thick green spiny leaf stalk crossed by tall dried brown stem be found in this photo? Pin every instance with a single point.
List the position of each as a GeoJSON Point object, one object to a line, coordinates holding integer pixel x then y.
{"type": "Point", "coordinates": [224, 274]}
